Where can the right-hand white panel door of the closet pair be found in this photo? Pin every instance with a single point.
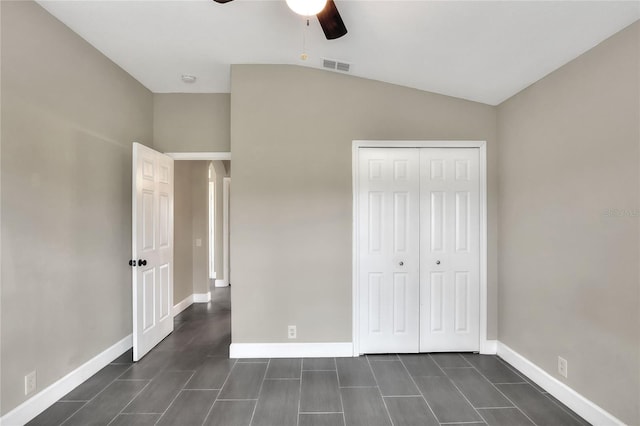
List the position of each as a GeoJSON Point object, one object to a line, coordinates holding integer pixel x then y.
{"type": "Point", "coordinates": [450, 250]}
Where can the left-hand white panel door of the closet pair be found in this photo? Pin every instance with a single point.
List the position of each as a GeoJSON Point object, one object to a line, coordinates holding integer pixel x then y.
{"type": "Point", "coordinates": [388, 238]}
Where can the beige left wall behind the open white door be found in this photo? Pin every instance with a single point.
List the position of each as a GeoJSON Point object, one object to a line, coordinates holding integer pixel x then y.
{"type": "Point", "coordinates": [69, 116]}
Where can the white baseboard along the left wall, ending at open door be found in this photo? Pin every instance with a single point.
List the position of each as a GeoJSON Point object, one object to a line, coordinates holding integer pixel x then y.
{"type": "Point", "coordinates": [35, 405]}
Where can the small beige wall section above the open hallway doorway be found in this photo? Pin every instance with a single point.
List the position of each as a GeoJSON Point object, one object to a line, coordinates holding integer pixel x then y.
{"type": "Point", "coordinates": [187, 122]}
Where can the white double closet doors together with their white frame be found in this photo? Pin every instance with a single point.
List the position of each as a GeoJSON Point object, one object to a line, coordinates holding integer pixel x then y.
{"type": "Point", "coordinates": [419, 246]}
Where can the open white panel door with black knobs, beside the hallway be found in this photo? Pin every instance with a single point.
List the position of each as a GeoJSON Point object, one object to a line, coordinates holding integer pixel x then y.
{"type": "Point", "coordinates": [152, 248]}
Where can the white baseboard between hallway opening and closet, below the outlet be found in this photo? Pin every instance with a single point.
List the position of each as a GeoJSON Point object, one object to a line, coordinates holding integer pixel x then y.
{"type": "Point", "coordinates": [290, 350]}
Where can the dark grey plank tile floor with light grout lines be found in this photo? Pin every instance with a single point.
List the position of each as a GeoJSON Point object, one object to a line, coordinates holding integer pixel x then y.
{"type": "Point", "coordinates": [189, 380]}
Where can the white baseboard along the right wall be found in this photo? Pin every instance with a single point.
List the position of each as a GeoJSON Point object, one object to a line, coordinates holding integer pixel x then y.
{"type": "Point", "coordinates": [569, 397]}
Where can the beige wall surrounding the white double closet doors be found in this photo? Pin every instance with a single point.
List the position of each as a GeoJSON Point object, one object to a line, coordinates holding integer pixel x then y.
{"type": "Point", "coordinates": [291, 130]}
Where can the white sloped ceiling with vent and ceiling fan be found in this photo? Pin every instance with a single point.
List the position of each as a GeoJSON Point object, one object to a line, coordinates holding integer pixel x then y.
{"type": "Point", "coordinates": [478, 50]}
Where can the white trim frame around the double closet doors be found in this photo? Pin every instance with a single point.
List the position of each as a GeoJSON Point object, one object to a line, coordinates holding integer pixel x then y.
{"type": "Point", "coordinates": [485, 345]}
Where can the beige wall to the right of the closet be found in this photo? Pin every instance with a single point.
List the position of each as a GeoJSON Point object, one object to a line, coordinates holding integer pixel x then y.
{"type": "Point", "coordinates": [569, 281]}
